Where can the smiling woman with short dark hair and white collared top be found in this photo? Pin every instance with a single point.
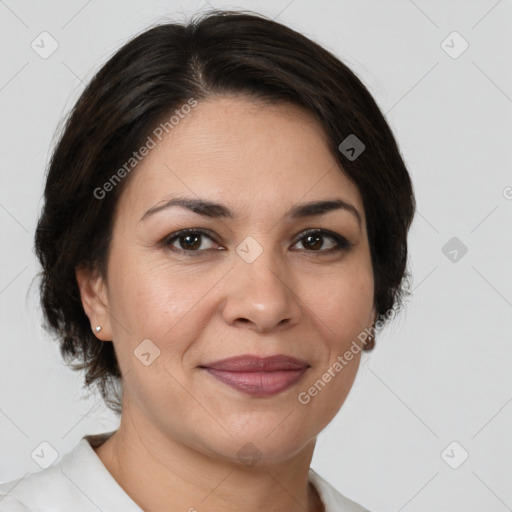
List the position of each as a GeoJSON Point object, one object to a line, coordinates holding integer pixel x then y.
{"type": "Point", "coordinates": [224, 230]}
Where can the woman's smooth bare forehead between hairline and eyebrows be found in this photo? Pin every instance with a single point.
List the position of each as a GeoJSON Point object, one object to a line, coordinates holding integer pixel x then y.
{"type": "Point", "coordinates": [241, 152]}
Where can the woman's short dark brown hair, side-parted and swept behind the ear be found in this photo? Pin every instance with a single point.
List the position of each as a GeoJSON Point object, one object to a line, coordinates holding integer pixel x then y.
{"type": "Point", "coordinates": [216, 53]}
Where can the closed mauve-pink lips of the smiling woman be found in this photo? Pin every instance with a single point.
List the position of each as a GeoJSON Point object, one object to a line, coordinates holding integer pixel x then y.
{"type": "Point", "coordinates": [258, 376]}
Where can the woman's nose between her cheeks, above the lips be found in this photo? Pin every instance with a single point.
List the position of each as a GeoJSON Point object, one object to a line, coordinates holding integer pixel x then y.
{"type": "Point", "coordinates": [260, 295]}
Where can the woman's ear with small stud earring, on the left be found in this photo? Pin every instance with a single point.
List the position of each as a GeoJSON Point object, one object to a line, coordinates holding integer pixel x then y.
{"type": "Point", "coordinates": [93, 292]}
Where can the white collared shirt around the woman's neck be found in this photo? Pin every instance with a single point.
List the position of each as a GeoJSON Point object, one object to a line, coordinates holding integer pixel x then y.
{"type": "Point", "coordinates": [79, 482]}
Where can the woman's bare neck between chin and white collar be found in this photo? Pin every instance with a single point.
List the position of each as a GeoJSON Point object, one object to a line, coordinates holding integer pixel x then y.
{"type": "Point", "coordinates": [163, 474]}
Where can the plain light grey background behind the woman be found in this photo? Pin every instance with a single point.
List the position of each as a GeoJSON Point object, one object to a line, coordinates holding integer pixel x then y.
{"type": "Point", "coordinates": [442, 371]}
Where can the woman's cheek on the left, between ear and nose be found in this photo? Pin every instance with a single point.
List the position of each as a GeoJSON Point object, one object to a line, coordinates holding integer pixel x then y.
{"type": "Point", "coordinates": [159, 302]}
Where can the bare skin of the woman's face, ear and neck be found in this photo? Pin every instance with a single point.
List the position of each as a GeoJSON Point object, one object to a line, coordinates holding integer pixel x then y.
{"type": "Point", "coordinates": [181, 429]}
